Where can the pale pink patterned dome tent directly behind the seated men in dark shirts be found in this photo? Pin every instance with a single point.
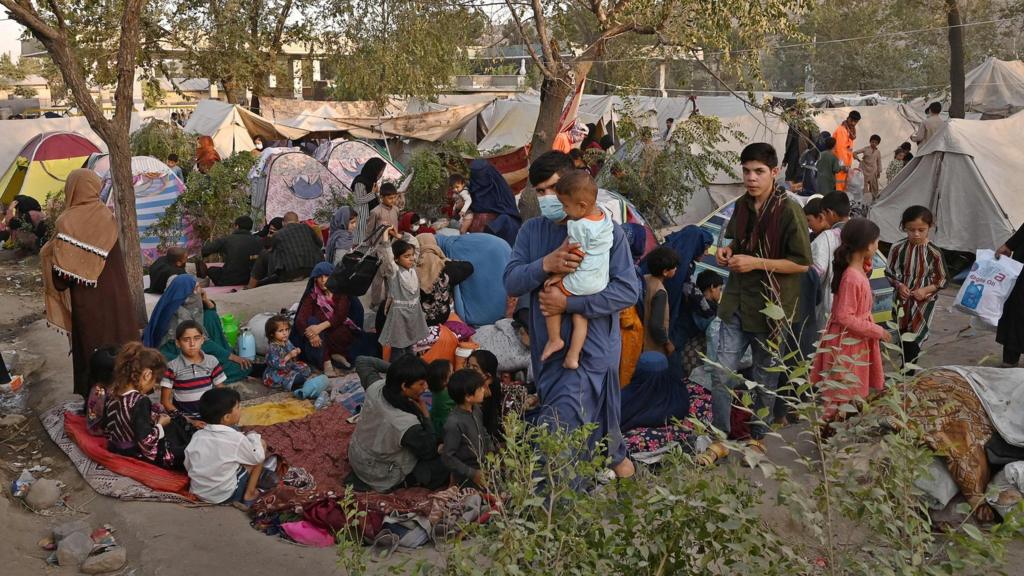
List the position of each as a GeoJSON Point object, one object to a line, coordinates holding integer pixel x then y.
{"type": "Point", "coordinates": [292, 182]}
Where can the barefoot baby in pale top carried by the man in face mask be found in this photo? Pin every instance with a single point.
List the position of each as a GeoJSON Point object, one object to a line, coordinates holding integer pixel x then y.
{"type": "Point", "coordinates": [591, 231]}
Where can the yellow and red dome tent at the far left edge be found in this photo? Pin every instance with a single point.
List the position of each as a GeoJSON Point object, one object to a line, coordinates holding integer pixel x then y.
{"type": "Point", "coordinates": [44, 164]}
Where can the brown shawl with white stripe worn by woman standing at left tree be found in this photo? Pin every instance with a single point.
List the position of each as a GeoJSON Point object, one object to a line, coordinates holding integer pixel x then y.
{"type": "Point", "coordinates": [87, 232]}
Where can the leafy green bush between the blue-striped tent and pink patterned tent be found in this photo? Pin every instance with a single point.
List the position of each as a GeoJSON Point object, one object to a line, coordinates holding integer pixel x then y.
{"type": "Point", "coordinates": [210, 203]}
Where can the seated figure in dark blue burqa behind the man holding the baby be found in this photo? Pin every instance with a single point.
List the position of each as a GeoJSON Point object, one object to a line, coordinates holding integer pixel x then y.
{"type": "Point", "coordinates": [654, 398]}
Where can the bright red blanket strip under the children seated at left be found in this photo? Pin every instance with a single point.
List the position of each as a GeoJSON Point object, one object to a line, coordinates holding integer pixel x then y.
{"type": "Point", "coordinates": [96, 448]}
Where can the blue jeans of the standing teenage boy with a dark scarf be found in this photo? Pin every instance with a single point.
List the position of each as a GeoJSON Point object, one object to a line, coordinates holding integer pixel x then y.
{"type": "Point", "coordinates": [734, 342]}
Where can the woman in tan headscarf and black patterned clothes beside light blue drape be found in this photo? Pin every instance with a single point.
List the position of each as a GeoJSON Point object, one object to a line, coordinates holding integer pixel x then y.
{"type": "Point", "coordinates": [439, 277]}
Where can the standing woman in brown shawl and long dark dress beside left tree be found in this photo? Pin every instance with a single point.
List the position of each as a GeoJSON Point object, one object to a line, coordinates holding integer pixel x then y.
{"type": "Point", "coordinates": [84, 278]}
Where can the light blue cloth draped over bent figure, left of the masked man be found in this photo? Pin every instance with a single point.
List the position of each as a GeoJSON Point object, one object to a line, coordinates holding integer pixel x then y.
{"type": "Point", "coordinates": [481, 299]}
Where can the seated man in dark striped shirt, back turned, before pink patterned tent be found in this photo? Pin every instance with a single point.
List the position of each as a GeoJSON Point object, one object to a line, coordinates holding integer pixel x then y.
{"type": "Point", "coordinates": [294, 252]}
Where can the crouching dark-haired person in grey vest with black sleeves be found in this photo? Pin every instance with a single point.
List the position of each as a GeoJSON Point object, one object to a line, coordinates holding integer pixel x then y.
{"type": "Point", "coordinates": [395, 444]}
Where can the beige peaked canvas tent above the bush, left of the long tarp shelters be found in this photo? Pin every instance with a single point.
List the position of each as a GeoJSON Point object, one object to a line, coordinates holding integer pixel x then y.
{"type": "Point", "coordinates": [234, 128]}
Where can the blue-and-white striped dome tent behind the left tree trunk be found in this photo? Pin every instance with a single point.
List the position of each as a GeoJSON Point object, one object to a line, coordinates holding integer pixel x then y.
{"type": "Point", "coordinates": [156, 189]}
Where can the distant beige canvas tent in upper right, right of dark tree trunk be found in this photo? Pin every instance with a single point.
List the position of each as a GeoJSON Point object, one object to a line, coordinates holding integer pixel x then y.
{"type": "Point", "coordinates": [996, 90]}
